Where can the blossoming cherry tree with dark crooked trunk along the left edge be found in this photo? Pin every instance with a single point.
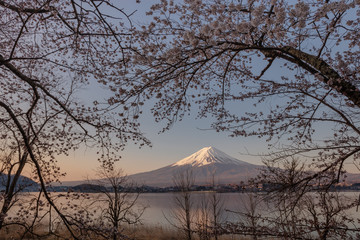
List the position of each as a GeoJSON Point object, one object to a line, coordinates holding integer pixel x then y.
{"type": "Point", "coordinates": [50, 51]}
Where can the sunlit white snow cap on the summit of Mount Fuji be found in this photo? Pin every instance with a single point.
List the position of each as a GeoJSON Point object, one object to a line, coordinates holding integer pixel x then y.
{"type": "Point", "coordinates": [206, 156]}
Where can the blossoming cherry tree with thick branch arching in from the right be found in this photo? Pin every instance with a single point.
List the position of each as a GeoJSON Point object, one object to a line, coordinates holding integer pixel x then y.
{"type": "Point", "coordinates": [295, 62]}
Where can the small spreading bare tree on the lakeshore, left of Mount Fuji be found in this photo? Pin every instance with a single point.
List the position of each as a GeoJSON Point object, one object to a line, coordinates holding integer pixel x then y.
{"type": "Point", "coordinates": [110, 212]}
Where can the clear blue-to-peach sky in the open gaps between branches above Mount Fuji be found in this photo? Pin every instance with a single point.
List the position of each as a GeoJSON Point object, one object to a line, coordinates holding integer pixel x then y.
{"type": "Point", "coordinates": [183, 139]}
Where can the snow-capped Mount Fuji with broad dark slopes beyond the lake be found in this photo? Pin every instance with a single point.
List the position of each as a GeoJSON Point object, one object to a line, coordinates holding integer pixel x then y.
{"type": "Point", "coordinates": [203, 164]}
